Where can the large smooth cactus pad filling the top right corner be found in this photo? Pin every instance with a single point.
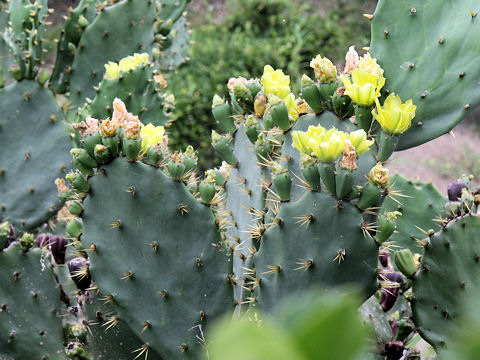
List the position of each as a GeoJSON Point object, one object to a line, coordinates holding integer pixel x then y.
{"type": "Point", "coordinates": [426, 49]}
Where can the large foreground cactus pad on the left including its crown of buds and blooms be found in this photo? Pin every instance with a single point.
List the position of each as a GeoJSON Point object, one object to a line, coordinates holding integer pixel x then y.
{"type": "Point", "coordinates": [151, 242]}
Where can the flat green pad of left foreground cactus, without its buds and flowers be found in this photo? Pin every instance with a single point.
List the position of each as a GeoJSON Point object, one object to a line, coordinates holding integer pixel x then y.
{"type": "Point", "coordinates": [182, 279]}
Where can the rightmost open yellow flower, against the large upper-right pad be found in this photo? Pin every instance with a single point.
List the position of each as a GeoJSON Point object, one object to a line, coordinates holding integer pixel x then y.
{"type": "Point", "coordinates": [394, 117]}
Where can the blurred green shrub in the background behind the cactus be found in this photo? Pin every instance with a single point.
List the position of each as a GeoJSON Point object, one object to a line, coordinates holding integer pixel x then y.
{"type": "Point", "coordinates": [281, 33]}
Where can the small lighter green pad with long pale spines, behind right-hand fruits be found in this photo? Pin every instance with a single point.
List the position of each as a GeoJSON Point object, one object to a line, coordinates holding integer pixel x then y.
{"type": "Point", "coordinates": [421, 206]}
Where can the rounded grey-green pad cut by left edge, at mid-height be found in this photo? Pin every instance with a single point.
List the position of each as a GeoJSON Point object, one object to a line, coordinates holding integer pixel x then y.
{"type": "Point", "coordinates": [32, 132]}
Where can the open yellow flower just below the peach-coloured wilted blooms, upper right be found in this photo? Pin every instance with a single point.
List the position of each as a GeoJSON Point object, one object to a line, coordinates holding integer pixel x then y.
{"type": "Point", "coordinates": [365, 87]}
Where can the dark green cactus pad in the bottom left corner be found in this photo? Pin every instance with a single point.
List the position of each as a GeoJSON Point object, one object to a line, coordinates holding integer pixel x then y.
{"type": "Point", "coordinates": [30, 320]}
